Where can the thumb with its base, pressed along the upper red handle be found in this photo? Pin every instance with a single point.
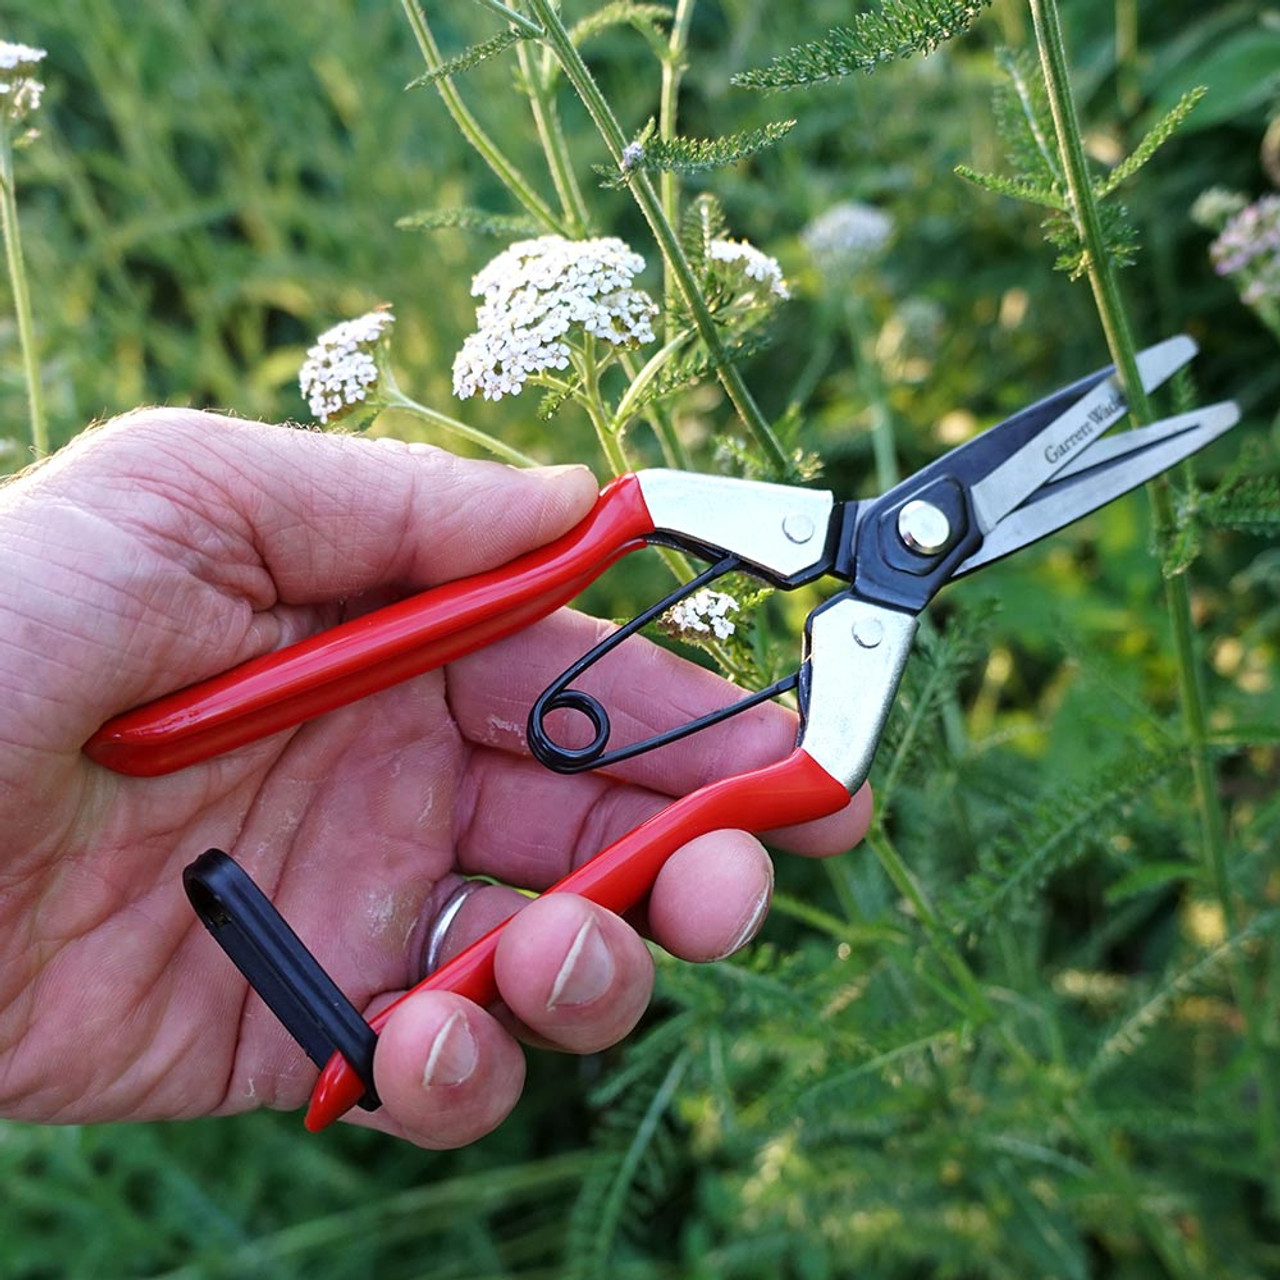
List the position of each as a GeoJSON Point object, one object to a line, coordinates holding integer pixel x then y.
{"type": "Point", "coordinates": [332, 516]}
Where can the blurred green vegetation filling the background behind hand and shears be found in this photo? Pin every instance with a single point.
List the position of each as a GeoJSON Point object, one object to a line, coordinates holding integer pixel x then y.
{"type": "Point", "coordinates": [1032, 1030]}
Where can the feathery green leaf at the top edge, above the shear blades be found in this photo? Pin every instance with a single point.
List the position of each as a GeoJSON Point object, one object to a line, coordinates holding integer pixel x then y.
{"type": "Point", "coordinates": [899, 30]}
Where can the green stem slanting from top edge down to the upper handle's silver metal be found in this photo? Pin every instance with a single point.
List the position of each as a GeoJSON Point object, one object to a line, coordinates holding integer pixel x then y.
{"type": "Point", "coordinates": [642, 189]}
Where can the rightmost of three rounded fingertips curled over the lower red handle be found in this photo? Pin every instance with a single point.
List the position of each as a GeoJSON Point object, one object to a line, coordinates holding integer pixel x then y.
{"type": "Point", "coordinates": [712, 897]}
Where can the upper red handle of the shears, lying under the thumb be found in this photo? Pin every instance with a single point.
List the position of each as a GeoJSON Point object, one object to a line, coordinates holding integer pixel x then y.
{"type": "Point", "coordinates": [381, 650]}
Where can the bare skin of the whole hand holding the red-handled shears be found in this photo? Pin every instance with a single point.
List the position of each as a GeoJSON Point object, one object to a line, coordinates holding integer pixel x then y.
{"type": "Point", "coordinates": [171, 546]}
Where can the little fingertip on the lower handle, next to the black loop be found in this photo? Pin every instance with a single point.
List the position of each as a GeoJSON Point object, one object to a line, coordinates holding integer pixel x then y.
{"type": "Point", "coordinates": [446, 1071]}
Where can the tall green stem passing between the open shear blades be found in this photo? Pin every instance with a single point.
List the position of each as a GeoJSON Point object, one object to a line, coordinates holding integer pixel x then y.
{"type": "Point", "coordinates": [1121, 341]}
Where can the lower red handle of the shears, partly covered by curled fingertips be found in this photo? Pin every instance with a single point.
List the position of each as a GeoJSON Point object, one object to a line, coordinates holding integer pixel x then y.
{"type": "Point", "coordinates": [793, 790]}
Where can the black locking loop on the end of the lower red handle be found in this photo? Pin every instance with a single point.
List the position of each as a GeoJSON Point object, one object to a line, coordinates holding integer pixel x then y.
{"type": "Point", "coordinates": [280, 968]}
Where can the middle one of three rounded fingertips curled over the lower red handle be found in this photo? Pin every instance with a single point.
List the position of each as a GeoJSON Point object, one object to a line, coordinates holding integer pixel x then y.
{"type": "Point", "coordinates": [574, 973]}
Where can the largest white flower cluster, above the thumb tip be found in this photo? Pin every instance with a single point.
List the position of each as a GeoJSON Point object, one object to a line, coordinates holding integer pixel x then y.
{"type": "Point", "coordinates": [534, 294]}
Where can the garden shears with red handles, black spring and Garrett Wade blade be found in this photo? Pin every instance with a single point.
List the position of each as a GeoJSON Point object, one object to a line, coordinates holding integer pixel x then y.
{"type": "Point", "coordinates": [1018, 482]}
